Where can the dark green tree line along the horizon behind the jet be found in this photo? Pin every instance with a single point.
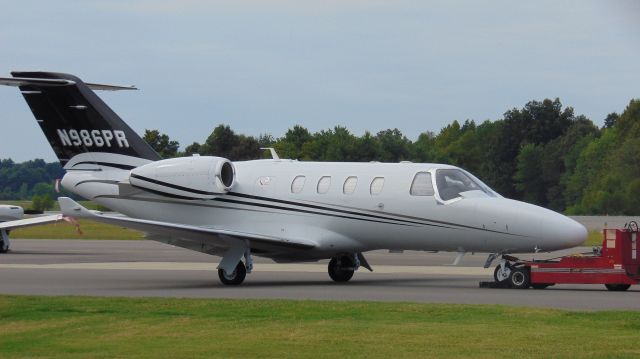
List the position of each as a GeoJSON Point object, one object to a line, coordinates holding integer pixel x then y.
{"type": "Point", "coordinates": [542, 153]}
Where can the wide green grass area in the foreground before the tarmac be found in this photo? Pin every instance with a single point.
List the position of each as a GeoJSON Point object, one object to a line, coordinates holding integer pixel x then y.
{"type": "Point", "coordinates": [77, 327]}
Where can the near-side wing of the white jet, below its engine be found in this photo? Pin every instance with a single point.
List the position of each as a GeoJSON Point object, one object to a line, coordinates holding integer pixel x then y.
{"type": "Point", "coordinates": [203, 239]}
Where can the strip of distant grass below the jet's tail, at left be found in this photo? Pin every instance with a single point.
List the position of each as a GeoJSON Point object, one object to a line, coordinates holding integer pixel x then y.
{"type": "Point", "coordinates": [63, 230]}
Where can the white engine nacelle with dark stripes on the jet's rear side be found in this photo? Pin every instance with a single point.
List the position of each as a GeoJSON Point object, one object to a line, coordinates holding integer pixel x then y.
{"type": "Point", "coordinates": [197, 177]}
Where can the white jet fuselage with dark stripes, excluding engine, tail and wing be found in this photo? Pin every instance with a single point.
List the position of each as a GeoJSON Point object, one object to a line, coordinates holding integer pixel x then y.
{"type": "Point", "coordinates": [346, 207]}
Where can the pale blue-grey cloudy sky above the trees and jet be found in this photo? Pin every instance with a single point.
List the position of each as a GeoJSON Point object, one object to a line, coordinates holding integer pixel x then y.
{"type": "Point", "coordinates": [265, 66]}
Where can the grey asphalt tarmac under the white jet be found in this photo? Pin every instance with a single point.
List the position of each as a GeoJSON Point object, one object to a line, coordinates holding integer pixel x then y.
{"type": "Point", "coordinates": [150, 269]}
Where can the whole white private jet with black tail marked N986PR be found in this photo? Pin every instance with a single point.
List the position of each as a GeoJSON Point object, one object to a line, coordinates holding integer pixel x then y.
{"type": "Point", "coordinates": [282, 209]}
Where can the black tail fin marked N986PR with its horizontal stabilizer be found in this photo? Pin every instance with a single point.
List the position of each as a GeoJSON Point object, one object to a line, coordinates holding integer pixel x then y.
{"type": "Point", "coordinates": [76, 121]}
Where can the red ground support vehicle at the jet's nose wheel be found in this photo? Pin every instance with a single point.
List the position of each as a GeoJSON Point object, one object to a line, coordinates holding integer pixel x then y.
{"type": "Point", "coordinates": [616, 265]}
